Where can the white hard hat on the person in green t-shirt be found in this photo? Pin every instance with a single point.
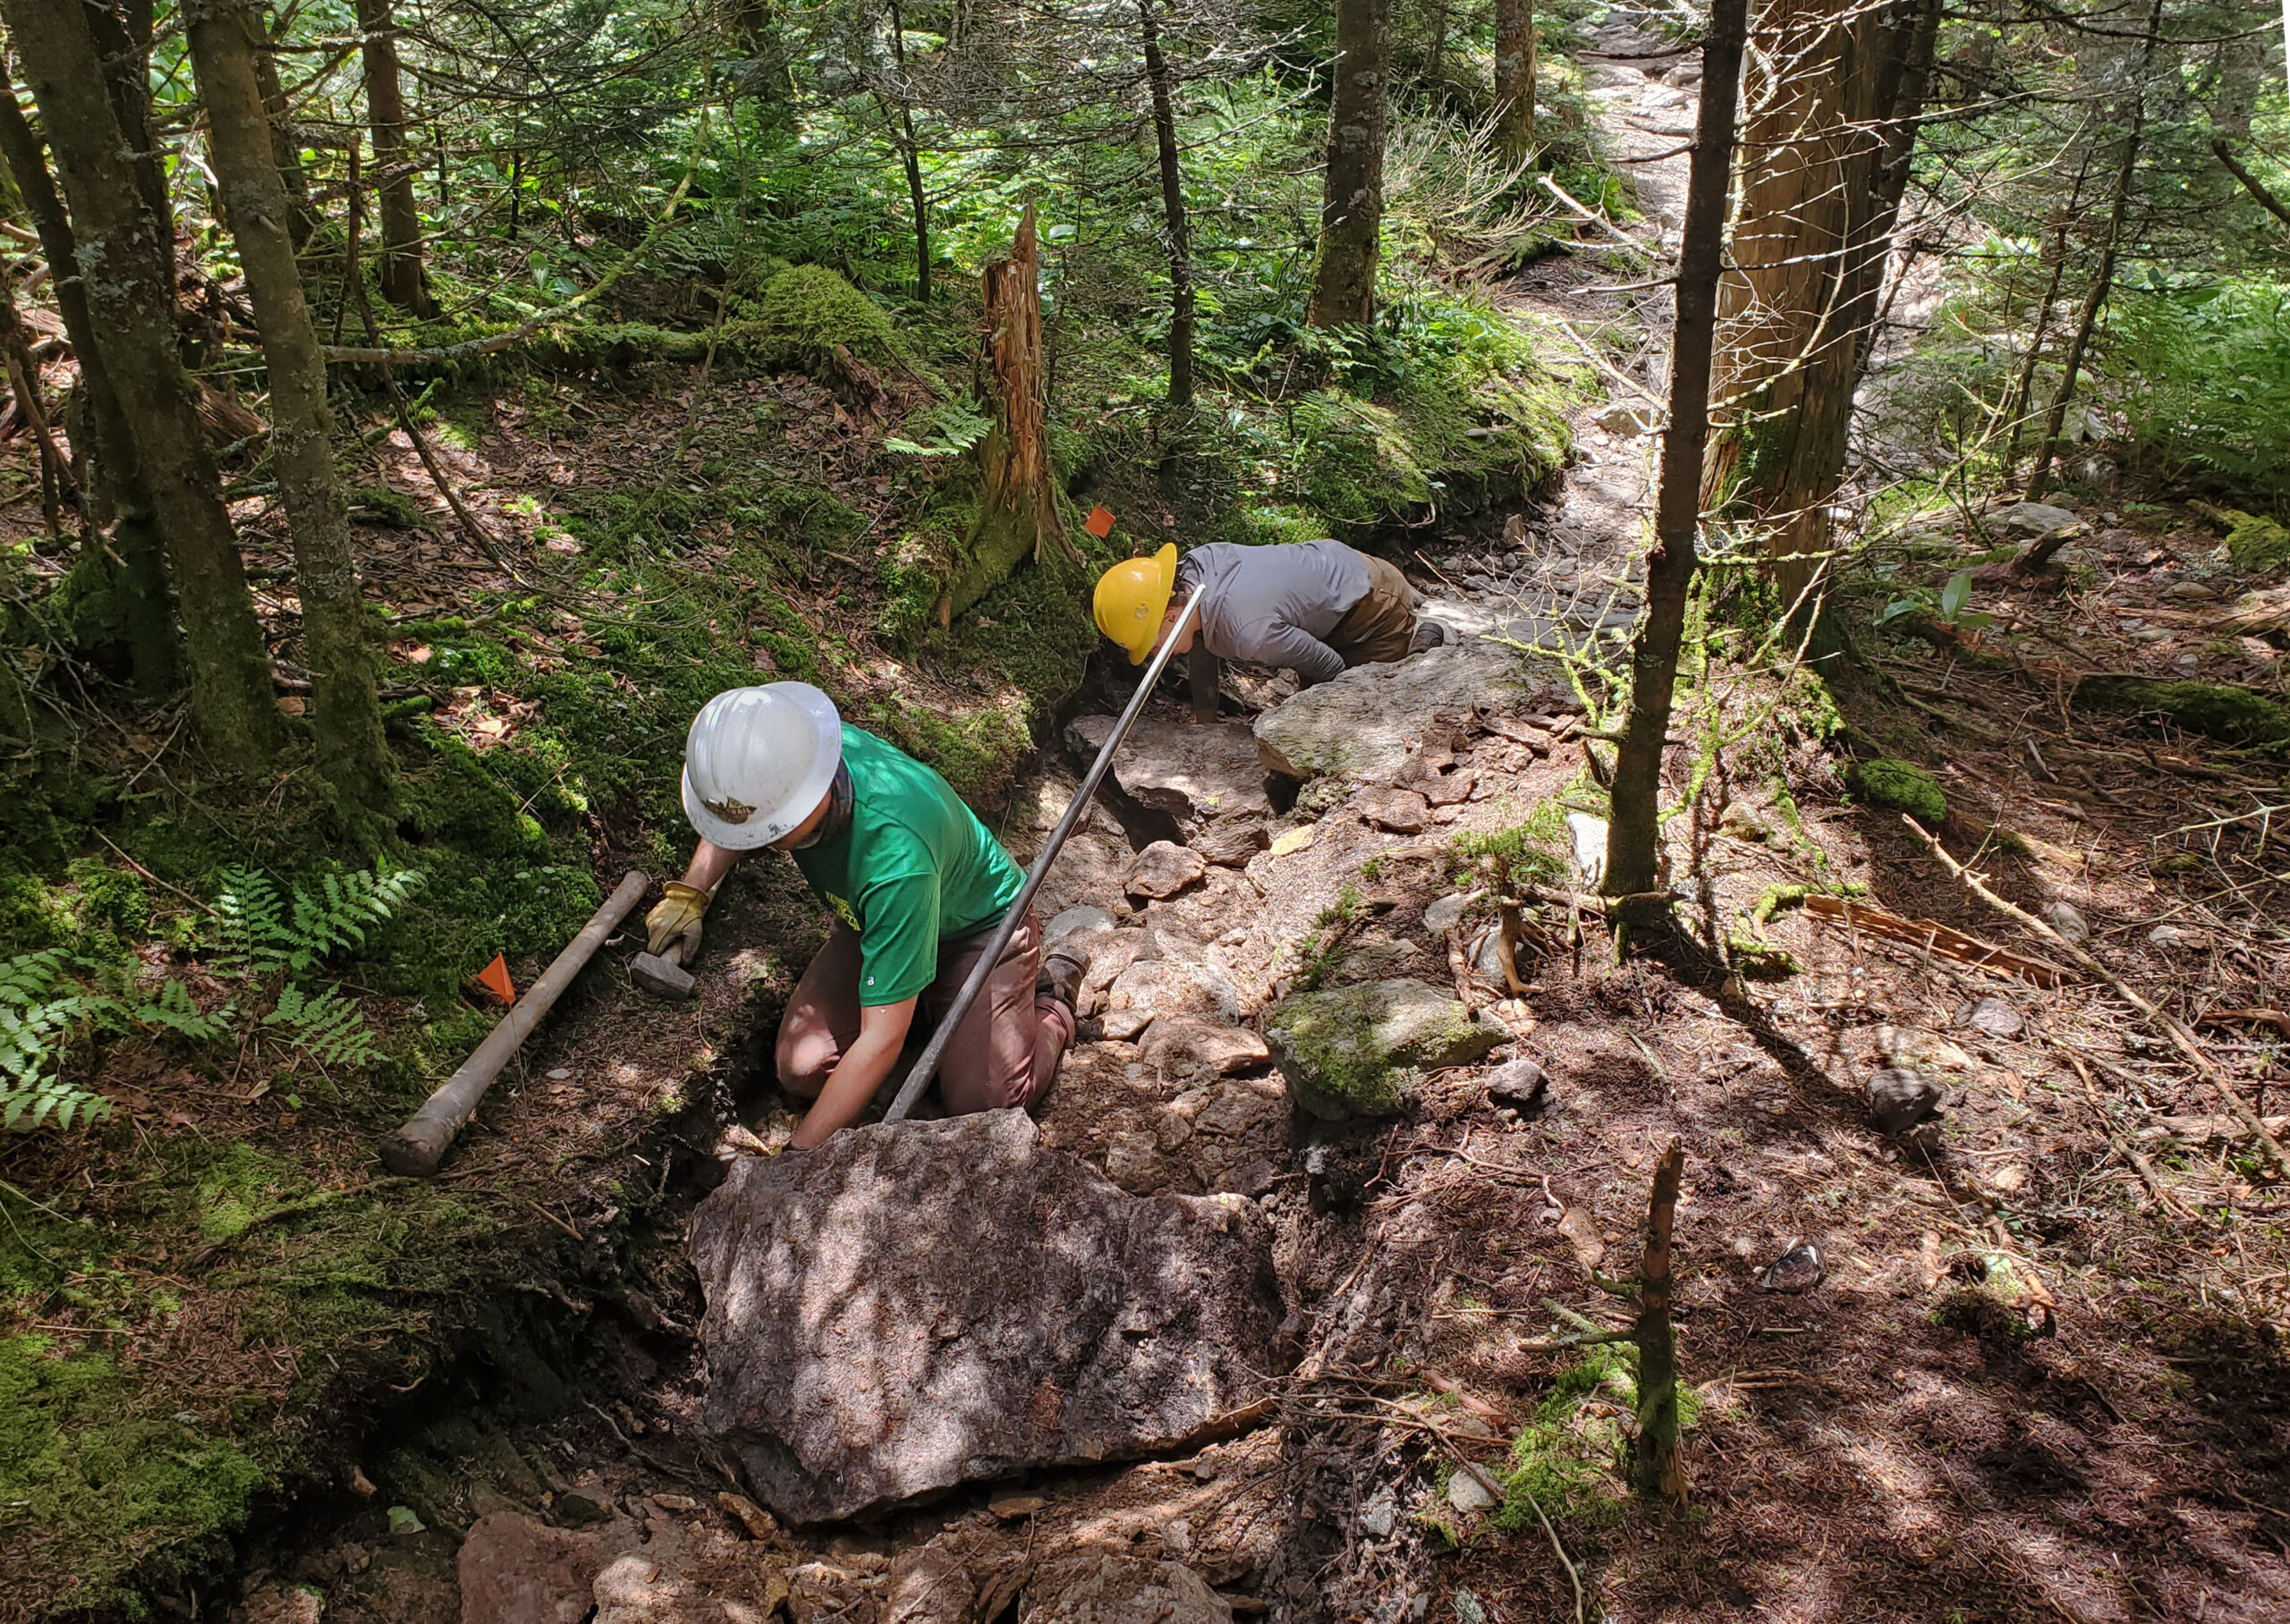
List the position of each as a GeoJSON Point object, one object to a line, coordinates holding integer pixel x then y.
{"type": "Point", "coordinates": [759, 762]}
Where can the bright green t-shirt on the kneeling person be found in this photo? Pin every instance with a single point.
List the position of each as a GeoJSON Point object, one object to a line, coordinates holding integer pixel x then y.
{"type": "Point", "coordinates": [915, 869]}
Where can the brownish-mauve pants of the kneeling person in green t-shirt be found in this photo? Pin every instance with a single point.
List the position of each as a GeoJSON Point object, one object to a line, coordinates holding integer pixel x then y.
{"type": "Point", "coordinates": [1004, 1053]}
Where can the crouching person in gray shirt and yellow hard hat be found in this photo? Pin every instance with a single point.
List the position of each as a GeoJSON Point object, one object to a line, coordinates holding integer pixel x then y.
{"type": "Point", "coordinates": [1311, 608]}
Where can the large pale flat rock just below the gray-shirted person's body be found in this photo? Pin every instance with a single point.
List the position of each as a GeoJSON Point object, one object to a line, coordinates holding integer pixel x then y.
{"type": "Point", "coordinates": [1366, 723]}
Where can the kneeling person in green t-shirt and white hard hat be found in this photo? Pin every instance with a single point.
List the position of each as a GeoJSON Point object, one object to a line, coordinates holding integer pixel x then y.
{"type": "Point", "coordinates": [917, 888]}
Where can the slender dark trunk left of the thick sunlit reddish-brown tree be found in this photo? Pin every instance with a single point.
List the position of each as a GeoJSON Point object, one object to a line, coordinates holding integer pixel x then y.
{"type": "Point", "coordinates": [1632, 842]}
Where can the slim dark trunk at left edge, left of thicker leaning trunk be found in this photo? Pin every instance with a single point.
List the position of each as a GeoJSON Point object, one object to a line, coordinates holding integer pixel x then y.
{"type": "Point", "coordinates": [141, 578]}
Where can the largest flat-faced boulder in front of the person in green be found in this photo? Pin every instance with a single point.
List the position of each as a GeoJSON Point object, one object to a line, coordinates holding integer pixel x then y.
{"type": "Point", "coordinates": [924, 1304]}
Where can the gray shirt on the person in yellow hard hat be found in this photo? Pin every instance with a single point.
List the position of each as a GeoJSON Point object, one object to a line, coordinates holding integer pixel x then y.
{"type": "Point", "coordinates": [1277, 604]}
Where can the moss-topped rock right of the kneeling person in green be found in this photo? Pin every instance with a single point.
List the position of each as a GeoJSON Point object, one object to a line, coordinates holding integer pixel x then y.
{"type": "Point", "coordinates": [1366, 1050]}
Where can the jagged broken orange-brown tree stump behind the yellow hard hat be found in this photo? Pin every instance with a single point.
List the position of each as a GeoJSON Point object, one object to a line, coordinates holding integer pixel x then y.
{"type": "Point", "coordinates": [1018, 512]}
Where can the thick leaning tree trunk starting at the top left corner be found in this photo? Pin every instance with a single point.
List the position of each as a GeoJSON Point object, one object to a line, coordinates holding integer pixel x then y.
{"type": "Point", "coordinates": [127, 278]}
